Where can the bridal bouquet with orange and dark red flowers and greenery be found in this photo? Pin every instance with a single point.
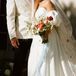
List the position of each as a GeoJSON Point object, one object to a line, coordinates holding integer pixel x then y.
{"type": "Point", "coordinates": [43, 27]}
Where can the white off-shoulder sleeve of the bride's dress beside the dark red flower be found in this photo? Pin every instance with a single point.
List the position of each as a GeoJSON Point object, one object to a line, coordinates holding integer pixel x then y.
{"type": "Point", "coordinates": [56, 19]}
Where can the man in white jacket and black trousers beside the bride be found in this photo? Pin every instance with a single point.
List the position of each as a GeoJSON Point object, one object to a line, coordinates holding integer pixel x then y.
{"type": "Point", "coordinates": [19, 29]}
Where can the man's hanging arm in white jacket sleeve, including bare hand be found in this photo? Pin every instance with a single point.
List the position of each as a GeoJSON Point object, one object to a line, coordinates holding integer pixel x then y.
{"type": "Point", "coordinates": [11, 15]}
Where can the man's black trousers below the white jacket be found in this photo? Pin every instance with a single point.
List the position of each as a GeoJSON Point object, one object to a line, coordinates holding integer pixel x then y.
{"type": "Point", "coordinates": [21, 57]}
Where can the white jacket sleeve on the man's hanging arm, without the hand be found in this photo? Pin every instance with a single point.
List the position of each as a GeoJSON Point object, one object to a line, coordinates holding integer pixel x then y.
{"type": "Point", "coordinates": [10, 8]}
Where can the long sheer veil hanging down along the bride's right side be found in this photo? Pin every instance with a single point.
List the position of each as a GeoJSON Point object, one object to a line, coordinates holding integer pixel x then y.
{"type": "Point", "coordinates": [65, 33]}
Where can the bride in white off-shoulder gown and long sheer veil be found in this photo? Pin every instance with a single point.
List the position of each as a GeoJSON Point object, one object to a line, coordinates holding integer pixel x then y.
{"type": "Point", "coordinates": [57, 57]}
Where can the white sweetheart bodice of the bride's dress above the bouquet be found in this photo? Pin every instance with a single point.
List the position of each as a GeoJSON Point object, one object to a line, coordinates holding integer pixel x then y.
{"type": "Point", "coordinates": [42, 12]}
